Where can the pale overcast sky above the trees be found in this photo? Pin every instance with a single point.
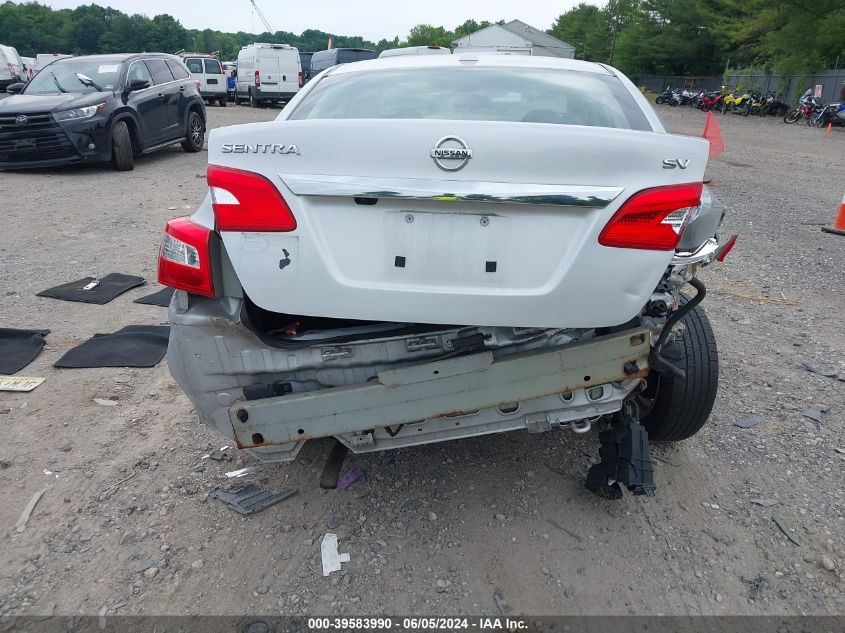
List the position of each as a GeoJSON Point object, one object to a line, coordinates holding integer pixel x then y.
{"type": "Point", "coordinates": [373, 19]}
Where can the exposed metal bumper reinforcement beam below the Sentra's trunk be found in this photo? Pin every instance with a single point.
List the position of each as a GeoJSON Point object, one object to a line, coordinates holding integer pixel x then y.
{"type": "Point", "coordinates": [458, 397]}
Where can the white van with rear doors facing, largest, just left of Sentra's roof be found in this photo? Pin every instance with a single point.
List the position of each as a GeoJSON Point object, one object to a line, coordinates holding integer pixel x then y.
{"type": "Point", "coordinates": [267, 73]}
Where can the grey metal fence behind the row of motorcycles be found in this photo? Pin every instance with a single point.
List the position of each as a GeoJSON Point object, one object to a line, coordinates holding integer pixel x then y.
{"type": "Point", "coordinates": [790, 86]}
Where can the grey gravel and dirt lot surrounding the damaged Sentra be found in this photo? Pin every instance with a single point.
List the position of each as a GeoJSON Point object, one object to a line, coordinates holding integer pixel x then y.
{"type": "Point", "coordinates": [125, 524]}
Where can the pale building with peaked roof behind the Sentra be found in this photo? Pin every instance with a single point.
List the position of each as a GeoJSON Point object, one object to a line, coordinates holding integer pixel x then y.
{"type": "Point", "coordinates": [513, 37]}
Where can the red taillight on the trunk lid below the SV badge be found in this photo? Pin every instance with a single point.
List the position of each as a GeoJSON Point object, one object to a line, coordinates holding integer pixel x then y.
{"type": "Point", "coordinates": [652, 219]}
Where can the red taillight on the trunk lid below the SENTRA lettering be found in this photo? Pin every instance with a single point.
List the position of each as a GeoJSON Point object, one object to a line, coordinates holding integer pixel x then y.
{"type": "Point", "coordinates": [246, 201]}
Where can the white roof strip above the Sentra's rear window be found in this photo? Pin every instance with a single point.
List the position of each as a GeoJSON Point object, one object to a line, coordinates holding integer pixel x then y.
{"type": "Point", "coordinates": [479, 60]}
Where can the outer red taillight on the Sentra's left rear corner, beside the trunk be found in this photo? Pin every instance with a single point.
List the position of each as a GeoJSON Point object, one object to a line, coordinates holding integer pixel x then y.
{"type": "Point", "coordinates": [184, 259]}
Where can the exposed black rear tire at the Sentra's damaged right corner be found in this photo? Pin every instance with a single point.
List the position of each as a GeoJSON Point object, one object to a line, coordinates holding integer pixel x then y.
{"type": "Point", "coordinates": [674, 408]}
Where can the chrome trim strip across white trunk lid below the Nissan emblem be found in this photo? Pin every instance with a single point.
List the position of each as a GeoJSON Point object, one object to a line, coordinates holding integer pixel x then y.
{"type": "Point", "coordinates": [450, 190]}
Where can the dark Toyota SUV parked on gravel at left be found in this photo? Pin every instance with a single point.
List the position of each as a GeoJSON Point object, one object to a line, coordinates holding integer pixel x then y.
{"type": "Point", "coordinates": [101, 108]}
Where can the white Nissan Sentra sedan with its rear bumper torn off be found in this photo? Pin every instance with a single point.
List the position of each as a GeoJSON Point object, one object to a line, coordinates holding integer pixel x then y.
{"type": "Point", "coordinates": [425, 248]}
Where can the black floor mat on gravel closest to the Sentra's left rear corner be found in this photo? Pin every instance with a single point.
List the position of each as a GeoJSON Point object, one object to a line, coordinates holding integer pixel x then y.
{"type": "Point", "coordinates": [132, 346]}
